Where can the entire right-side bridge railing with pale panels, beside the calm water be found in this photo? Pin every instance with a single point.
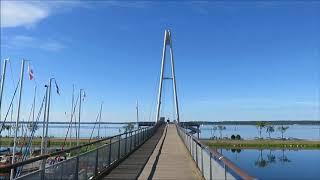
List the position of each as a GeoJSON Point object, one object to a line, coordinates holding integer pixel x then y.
{"type": "Point", "coordinates": [211, 163]}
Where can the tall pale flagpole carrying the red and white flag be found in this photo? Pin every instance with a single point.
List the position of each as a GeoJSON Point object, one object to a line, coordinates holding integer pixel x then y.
{"type": "Point", "coordinates": [17, 122]}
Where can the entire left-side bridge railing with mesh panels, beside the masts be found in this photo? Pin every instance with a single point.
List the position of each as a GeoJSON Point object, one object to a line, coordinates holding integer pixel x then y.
{"type": "Point", "coordinates": [89, 164]}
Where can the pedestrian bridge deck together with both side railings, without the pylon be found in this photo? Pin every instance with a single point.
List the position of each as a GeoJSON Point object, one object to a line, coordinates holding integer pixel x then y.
{"type": "Point", "coordinates": [163, 151]}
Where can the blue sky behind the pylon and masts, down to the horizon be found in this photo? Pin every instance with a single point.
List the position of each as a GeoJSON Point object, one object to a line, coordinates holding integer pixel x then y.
{"type": "Point", "coordinates": [234, 61]}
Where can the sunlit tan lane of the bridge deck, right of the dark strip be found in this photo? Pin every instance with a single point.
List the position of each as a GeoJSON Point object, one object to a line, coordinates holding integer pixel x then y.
{"type": "Point", "coordinates": [172, 160]}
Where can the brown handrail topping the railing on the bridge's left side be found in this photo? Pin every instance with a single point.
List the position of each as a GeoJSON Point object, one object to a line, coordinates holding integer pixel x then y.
{"type": "Point", "coordinates": [45, 156]}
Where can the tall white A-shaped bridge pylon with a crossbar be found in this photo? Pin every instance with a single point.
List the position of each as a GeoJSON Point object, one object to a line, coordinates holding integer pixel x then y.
{"type": "Point", "coordinates": [167, 42]}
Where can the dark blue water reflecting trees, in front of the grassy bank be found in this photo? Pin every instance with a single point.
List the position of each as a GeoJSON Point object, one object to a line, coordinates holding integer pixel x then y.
{"type": "Point", "coordinates": [277, 164]}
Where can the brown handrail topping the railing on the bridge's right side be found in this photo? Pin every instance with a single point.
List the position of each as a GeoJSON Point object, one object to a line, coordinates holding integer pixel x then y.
{"type": "Point", "coordinates": [226, 161]}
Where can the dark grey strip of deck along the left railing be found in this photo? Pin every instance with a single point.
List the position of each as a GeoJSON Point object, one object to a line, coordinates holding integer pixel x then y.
{"type": "Point", "coordinates": [132, 166]}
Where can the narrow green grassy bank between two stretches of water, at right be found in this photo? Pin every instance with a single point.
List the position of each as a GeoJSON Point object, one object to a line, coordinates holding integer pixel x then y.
{"type": "Point", "coordinates": [263, 144]}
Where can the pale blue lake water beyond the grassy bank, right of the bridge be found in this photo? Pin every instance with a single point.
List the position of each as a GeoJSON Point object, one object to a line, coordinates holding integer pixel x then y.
{"type": "Point", "coordinates": [311, 132]}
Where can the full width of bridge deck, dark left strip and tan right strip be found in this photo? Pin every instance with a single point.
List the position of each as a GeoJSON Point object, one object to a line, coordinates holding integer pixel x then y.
{"type": "Point", "coordinates": [163, 156]}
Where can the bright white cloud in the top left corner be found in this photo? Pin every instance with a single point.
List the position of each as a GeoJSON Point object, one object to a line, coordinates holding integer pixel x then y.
{"type": "Point", "coordinates": [19, 13]}
